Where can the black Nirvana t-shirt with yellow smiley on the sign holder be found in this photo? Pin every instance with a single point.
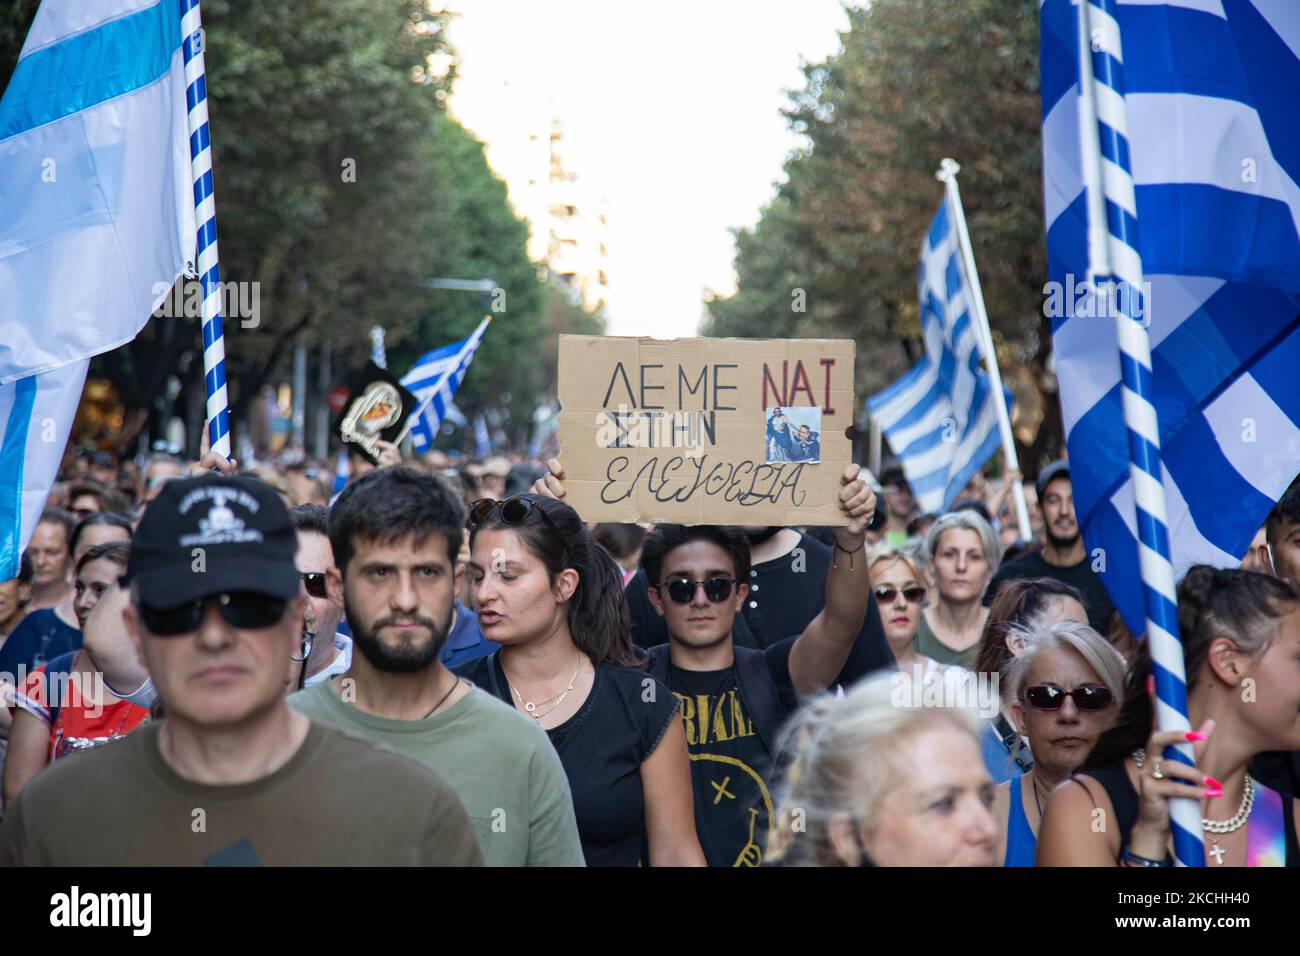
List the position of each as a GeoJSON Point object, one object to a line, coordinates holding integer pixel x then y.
{"type": "Point", "coordinates": [731, 769]}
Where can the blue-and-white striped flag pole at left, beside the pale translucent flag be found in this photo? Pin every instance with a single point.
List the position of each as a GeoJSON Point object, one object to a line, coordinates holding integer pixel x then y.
{"type": "Point", "coordinates": [206, 219]}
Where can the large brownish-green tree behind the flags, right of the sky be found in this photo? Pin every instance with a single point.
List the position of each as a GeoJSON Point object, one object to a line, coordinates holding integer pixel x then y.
{"type": "Point", "coordinates": [915, 81]}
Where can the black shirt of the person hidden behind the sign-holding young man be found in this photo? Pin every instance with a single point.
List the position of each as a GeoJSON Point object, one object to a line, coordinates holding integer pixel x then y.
{"type": "Point", "coordinates": [786, 594]}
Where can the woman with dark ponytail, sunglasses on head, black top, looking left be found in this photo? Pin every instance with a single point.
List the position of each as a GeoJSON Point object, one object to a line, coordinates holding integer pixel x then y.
{"type": "Point", "coordinates": [553, 599]}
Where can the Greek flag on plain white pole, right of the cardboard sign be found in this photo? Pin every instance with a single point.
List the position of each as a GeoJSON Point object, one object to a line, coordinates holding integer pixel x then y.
{"type": "Point", "coordinates": [941, 418]}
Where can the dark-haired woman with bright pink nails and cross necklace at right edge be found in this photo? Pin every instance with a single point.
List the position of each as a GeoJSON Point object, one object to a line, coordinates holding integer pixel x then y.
{"type": "Point", "coordinates": [1241, 644]}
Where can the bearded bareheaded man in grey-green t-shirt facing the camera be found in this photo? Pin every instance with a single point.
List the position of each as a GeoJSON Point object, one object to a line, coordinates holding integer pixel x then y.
{"type": "Point", "coordinates": [396, 535]}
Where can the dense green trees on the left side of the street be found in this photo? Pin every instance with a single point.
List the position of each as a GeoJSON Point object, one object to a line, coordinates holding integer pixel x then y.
{"type": "Point", "coordinates": [343, 185]}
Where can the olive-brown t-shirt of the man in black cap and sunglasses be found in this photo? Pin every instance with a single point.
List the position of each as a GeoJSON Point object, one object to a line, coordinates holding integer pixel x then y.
{"type": "Point", "coordinates": [337, 803]}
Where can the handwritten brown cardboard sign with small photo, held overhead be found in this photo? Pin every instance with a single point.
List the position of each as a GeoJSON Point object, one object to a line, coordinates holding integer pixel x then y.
{"type": "Point", "coordinates": [705, 431]}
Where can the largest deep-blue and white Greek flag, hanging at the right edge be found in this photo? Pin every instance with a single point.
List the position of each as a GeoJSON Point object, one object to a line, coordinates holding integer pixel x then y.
{"type": "Point", "coordinates": [1215, 153]}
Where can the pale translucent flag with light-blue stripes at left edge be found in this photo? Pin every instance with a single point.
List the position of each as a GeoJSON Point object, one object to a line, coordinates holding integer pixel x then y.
{"type": "Point", "coordinates": [97, 222]}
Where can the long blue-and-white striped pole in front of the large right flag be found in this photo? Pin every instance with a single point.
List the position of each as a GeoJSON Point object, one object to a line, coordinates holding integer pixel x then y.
{"type": "Point", "coordinates": [1115, 262]}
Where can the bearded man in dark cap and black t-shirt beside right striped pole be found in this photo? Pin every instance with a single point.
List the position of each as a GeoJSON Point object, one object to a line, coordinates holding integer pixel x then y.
{"type": "Point", "coordinates": [1063, 556]}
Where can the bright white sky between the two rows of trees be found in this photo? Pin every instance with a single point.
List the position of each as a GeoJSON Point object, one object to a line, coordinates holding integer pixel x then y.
{"type": "Point", "coordinates": [671, 111]}
